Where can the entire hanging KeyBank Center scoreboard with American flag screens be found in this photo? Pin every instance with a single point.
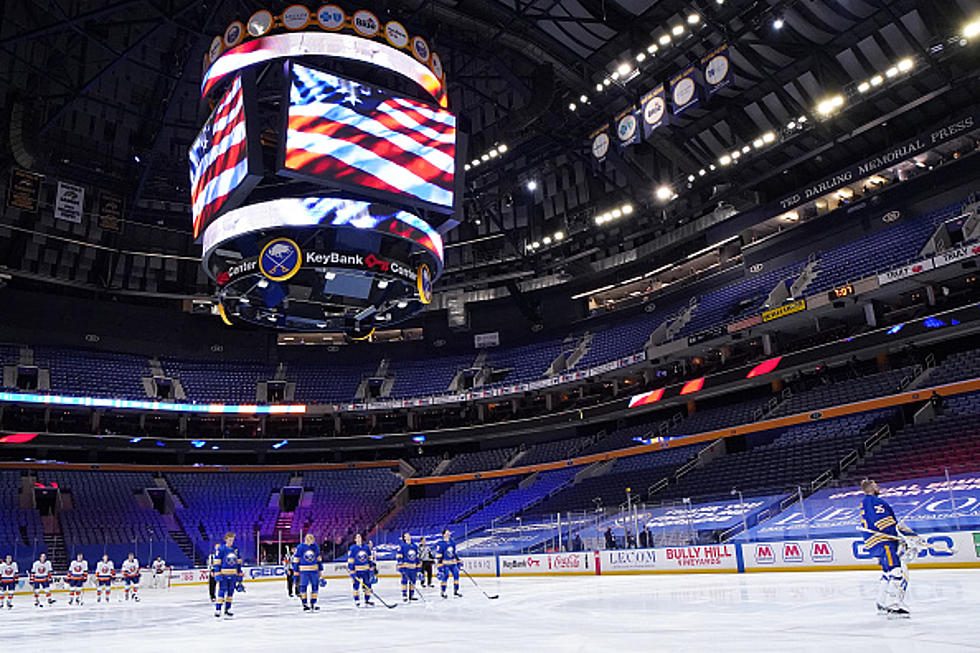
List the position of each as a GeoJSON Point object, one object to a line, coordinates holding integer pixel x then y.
{"type": "Point", "coordinates": [324, 177]}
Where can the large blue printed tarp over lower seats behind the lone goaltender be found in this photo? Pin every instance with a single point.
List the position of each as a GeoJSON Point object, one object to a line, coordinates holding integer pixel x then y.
{"type": "Point", "coordinates": [926, 504]}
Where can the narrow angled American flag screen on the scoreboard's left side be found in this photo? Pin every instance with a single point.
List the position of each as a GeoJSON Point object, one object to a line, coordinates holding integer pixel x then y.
{"type": "Point", "coordinates": [218, 157]}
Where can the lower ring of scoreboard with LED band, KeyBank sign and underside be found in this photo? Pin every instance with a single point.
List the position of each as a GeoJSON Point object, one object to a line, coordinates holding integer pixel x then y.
{"type": "Point", "coordinates": [322, 263]}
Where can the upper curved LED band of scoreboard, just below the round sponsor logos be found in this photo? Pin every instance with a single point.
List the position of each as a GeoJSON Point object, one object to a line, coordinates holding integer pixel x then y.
{"type": "Point", "coordinates": [342, 46]}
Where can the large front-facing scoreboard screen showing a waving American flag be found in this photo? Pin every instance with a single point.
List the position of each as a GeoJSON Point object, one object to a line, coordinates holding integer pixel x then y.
{"type": "Point", "coordinates": [347, 132]}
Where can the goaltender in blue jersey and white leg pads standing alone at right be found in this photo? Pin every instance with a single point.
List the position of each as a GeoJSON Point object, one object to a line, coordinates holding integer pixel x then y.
{"type": "Point", "coordinates": [883, 541]}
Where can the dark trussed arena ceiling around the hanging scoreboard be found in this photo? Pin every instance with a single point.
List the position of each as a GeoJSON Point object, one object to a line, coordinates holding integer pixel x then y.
{"type": "Point", "coordinates": [106, 93]}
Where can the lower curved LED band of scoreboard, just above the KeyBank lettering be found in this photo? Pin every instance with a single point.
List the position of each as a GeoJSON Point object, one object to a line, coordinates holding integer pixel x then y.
{"type": "Point", "coordinates": [324, 212]}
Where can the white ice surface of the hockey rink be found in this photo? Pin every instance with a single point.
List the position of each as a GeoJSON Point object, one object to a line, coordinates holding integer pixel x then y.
{"type": "Point", "coordinates": [802, 611]}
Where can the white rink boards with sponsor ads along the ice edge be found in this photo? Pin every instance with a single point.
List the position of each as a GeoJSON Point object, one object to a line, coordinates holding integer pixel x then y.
{"type": "Point", "coordinates": [832, 554]}
